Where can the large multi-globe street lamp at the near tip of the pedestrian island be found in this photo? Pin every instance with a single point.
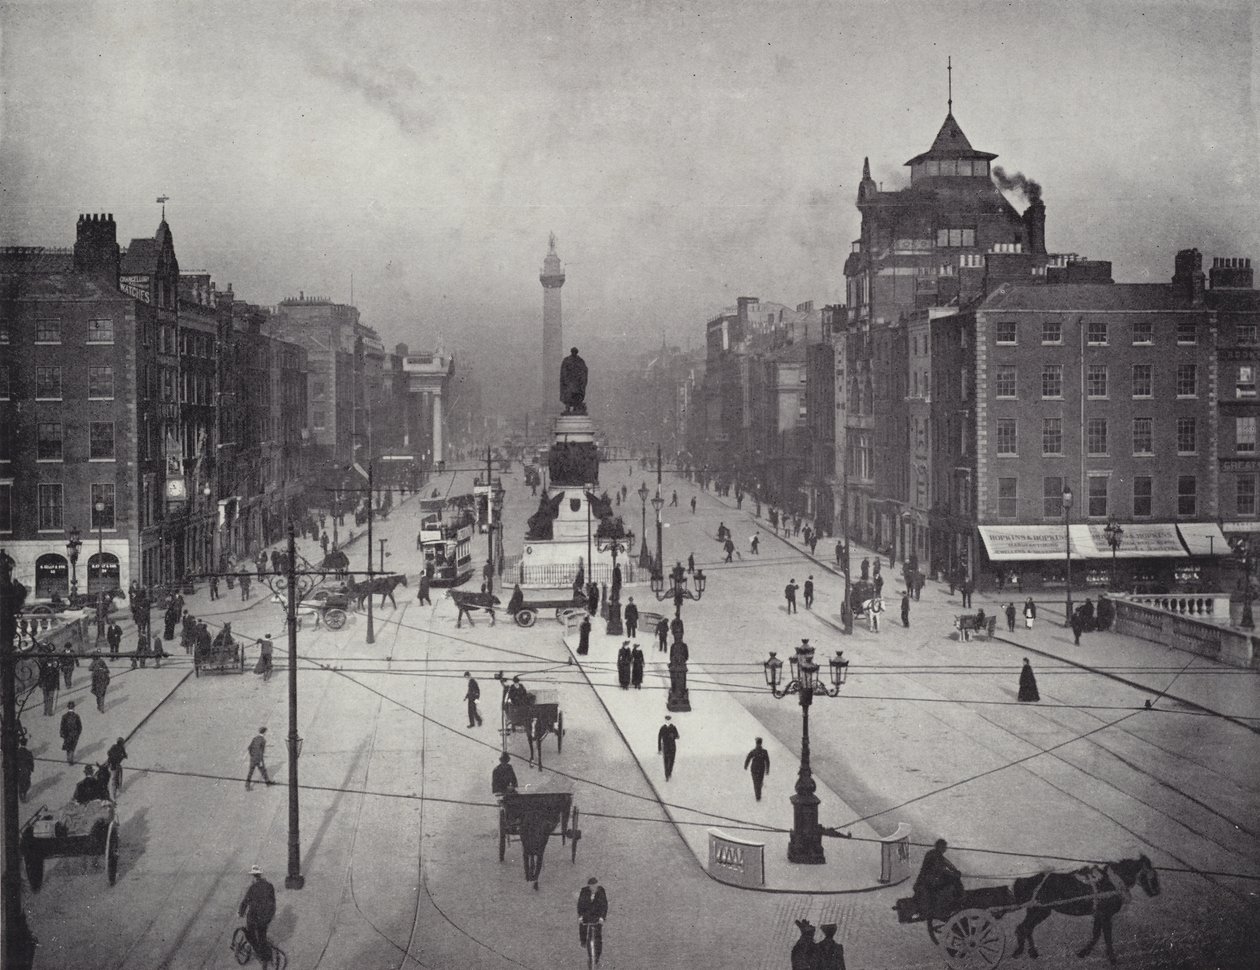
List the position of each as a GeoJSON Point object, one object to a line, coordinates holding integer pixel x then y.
{"type": "Point", "coordinates": [806, 842]}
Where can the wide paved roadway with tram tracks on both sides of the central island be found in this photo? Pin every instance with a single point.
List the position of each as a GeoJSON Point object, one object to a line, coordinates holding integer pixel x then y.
{"type": "Point", "coordinates": [400, 837]}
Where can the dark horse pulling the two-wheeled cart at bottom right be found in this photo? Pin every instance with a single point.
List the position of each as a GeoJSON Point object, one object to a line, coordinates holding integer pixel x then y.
{"type": "Point", "coordinates": [1098, 891]}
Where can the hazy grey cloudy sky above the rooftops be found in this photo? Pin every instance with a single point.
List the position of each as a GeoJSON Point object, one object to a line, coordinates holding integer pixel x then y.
{"type": "Point", "coordinates": [685, 154]}
